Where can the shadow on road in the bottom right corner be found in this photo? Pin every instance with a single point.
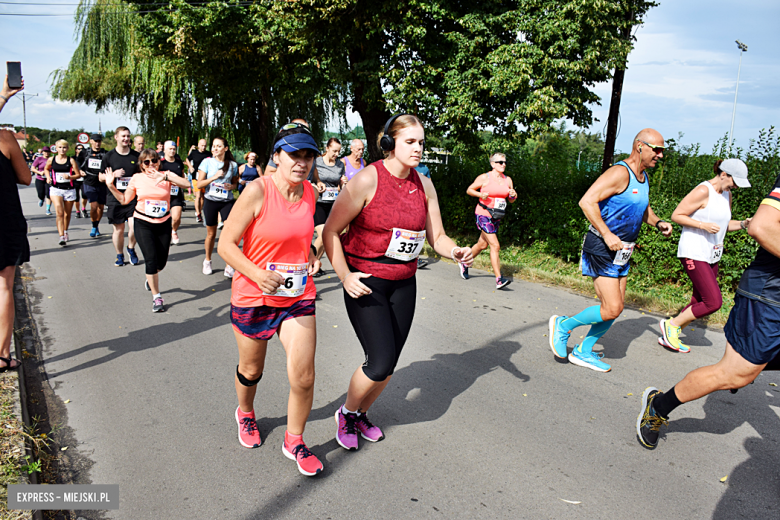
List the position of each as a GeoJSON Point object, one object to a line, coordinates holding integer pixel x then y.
{"type": "Point", "coordinates": [753, 487]}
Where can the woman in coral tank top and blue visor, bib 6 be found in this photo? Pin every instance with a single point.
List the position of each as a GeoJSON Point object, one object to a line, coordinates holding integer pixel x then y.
{"type": "Point", "coordinates": [273, 291]}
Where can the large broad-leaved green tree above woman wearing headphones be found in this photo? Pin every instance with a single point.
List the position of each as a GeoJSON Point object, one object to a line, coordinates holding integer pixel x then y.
{"type": "Point", "coordinates": [508, 65]}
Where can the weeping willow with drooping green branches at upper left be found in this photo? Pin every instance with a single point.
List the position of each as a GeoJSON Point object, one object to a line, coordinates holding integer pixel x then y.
{"type": "Point", "coordinates": [192, 69]}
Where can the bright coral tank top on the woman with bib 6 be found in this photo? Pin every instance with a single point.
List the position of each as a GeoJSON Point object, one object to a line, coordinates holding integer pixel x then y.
{"type": "Point", "coordinates": [279, 239]}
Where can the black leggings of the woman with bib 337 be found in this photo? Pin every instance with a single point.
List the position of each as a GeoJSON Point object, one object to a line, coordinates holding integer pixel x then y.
{"type": "Point", "coordinates": [382, 321]}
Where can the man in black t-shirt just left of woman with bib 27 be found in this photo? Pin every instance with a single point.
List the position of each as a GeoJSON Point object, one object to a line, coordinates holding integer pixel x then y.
{"type": "Point", "coordinates": [123, 162]}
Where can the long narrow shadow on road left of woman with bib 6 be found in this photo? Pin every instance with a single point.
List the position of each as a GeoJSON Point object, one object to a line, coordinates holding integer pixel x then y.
{"type": "Point", "coordinates": [144, 339]}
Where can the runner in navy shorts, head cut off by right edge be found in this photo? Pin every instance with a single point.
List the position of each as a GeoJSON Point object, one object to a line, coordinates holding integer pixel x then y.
{"type": "Point", "coordinates": [752, 330]}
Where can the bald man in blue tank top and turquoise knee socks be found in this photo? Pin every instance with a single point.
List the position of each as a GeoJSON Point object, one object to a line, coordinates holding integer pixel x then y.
{"type": "Point", "coordinates": [616, 205]}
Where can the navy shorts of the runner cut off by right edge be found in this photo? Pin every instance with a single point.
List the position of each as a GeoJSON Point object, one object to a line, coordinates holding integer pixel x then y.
{"type": "Point", "coordinates": [753, 330]}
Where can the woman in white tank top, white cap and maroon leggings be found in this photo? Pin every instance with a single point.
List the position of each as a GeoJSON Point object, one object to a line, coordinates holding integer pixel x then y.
{"type": "Point", "coordinates": [705, 216]}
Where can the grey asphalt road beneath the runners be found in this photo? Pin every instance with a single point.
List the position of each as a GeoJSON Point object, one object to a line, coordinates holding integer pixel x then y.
{"type": "Point", "coordinates": [480, 420]}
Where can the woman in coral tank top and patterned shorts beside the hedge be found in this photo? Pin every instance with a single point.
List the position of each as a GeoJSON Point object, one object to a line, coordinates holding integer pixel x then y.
{"type": "Point", "coordinates": [494, 190]}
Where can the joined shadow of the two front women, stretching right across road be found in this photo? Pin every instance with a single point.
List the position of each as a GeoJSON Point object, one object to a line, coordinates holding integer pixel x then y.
{"type": "Point", "coordinates": [420, 392]}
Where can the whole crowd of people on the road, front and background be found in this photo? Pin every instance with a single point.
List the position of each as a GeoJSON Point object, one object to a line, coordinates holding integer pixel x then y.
{"type": "Point", "coordinates": [372, 220]}
